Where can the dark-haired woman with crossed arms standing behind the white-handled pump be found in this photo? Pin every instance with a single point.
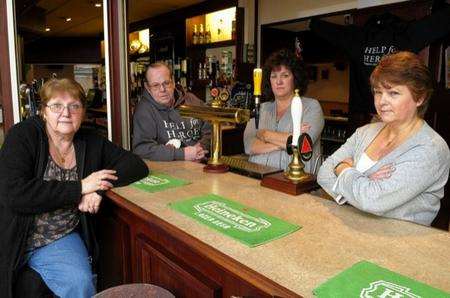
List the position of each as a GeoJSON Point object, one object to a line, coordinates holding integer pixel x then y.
{"type": "Point", "coordinates": [283, 73]}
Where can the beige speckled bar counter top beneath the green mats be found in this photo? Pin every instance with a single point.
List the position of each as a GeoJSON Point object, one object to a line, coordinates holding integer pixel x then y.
{"type": "Point", "coordinates": [332, 237]}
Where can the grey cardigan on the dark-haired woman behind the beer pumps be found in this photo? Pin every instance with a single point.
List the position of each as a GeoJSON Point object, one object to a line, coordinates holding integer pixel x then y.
{"type": "Point", "coordinates": [312, 114]}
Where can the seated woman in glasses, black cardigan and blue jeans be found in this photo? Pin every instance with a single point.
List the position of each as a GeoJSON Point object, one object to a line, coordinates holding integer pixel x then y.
{"type": "Point", "coordinates": [52, 175]}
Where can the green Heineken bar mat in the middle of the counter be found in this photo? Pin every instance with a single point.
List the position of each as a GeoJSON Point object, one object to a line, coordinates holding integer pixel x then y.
{"type": "Point", "coordinates": [246, 225]}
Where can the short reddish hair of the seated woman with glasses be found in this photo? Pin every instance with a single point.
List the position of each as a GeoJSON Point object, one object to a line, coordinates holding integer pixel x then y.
{"type": "Point", "coordinates": [55, 87]}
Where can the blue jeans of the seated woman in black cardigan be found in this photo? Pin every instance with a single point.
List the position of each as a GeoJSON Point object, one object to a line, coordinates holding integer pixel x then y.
{"type": "Point", "coordinates": [64, 266]}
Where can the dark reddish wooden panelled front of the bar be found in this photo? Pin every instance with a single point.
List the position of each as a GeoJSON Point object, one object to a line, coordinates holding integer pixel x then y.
{"type": "Point", "coordinates": [137, 247]}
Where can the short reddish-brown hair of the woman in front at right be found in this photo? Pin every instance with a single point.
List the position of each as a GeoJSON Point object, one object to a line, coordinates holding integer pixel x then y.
{"type": "Point", "coordinates": [405, 68]}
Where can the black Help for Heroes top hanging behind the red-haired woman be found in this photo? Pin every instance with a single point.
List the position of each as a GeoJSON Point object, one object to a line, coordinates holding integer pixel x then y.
{"type": "Point", "coordinates": [380, 35]}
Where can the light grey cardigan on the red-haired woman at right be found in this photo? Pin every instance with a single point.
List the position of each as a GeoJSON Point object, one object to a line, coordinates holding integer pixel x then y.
{"type": "Point", "coordinates": [413, 191]}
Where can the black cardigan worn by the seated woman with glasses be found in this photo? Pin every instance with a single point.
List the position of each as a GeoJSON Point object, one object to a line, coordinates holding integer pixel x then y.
{"type": "Point", "coordinates": [24, 193]}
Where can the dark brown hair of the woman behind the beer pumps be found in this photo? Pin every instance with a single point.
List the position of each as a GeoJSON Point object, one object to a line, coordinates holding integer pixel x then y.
{"type": "Point", "coordinates": [284, 57]}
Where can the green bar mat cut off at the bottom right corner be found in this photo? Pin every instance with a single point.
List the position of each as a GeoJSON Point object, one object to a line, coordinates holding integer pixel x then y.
{"type": "Point", "coordinates": [367, 280]}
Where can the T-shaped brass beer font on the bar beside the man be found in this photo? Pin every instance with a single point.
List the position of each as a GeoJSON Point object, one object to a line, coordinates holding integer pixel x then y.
{"type": "Point", "coordinates": [217, 114]}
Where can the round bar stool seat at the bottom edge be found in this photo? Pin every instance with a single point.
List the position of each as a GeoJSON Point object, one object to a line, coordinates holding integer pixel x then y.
{"type": "Point", "coordinates": [135, 291]}
